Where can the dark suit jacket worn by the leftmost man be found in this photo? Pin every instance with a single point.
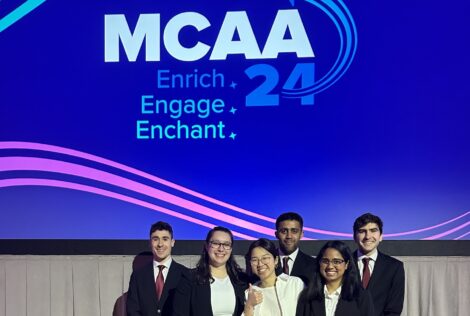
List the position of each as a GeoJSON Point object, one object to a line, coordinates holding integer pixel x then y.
{"type": "Point", "coordinates": [142, 294]}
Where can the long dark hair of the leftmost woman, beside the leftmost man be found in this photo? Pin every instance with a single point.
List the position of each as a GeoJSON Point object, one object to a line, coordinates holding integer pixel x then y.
{"type": "Point", "coordinates": [203, 273]}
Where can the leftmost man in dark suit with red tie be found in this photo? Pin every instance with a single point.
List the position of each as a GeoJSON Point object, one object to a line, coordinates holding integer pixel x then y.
{"type": "Point", "coordinates": [151, 288]}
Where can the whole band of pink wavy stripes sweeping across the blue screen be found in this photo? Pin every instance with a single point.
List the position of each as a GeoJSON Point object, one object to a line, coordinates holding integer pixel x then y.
{"type": "Point", "coordinates": [189, 205]}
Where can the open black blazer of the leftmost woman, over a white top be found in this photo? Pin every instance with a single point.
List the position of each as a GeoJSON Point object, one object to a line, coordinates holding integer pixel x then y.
{"type": "Point", "coordinates": [194, 299]}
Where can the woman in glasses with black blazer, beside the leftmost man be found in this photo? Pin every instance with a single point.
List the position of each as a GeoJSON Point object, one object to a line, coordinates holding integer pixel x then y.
{"type": "Point", "coordinates": [216, 287]}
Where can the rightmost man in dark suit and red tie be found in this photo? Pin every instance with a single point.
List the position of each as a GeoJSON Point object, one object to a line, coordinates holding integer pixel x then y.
{"type": "Point", "coordinates": [382, 275]}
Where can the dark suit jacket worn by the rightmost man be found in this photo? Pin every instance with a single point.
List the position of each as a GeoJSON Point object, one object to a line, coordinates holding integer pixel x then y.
{"type": "Point", "coordinates": [387, 285]}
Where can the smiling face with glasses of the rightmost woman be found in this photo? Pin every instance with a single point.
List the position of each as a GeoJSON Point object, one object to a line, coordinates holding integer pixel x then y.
{"type": "Point", "coordinates": [332, 266]}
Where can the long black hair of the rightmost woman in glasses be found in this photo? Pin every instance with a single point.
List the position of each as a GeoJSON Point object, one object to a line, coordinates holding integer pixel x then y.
{"type": "Point", "coordinates": [351, 284]}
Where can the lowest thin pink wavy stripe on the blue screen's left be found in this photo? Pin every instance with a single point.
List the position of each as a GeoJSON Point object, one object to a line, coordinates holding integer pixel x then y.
{"type": "Point", "coordinates": [117, 196]}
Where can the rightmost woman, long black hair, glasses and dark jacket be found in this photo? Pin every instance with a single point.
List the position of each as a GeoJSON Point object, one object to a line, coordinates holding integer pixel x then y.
{"type": "Point", "coordinates": [335, 289]}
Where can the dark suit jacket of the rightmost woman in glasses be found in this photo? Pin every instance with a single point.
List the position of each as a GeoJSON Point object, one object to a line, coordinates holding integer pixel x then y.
{"type": "Point", "coordinates": [362, 306]}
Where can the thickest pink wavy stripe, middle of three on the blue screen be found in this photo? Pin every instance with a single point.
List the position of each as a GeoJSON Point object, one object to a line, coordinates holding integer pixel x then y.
{"type": "Point", "coordinates": [49, 165]}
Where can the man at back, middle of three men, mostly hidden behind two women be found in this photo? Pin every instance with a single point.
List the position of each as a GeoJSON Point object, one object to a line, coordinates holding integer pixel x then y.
{"type": "Point", "coordinates": [289, 231]}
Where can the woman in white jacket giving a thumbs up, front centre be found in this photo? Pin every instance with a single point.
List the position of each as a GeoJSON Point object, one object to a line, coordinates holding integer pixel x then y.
{"type": "Point", "coordinates": [272, 295]}
